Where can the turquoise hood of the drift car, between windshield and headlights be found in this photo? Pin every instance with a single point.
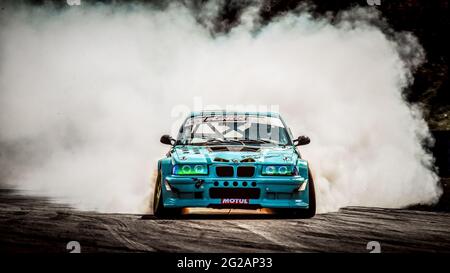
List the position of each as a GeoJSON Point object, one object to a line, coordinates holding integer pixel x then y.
{"type": "Point", "coordinates": [234, 154]}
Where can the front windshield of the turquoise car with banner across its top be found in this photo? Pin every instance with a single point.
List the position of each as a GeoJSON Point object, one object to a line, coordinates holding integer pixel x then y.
{"type": "Point", "coordinates": [233, 129]}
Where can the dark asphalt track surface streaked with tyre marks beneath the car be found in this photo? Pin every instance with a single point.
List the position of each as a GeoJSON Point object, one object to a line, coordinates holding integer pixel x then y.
{"type": "Point", "coordinates": [30, 224]}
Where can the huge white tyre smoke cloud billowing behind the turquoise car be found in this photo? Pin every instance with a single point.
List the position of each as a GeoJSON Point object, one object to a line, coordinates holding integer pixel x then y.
{"type": "Point", "coordinates": [86, 92]}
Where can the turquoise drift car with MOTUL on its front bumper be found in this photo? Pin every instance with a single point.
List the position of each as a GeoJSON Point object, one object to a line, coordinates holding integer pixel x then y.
{"type": "Point", "coordinates": [234, 160]}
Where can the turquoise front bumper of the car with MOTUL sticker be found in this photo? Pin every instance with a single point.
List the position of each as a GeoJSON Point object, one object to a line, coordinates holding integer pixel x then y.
{"type": "Point", "coordinates": [272, 192]}
